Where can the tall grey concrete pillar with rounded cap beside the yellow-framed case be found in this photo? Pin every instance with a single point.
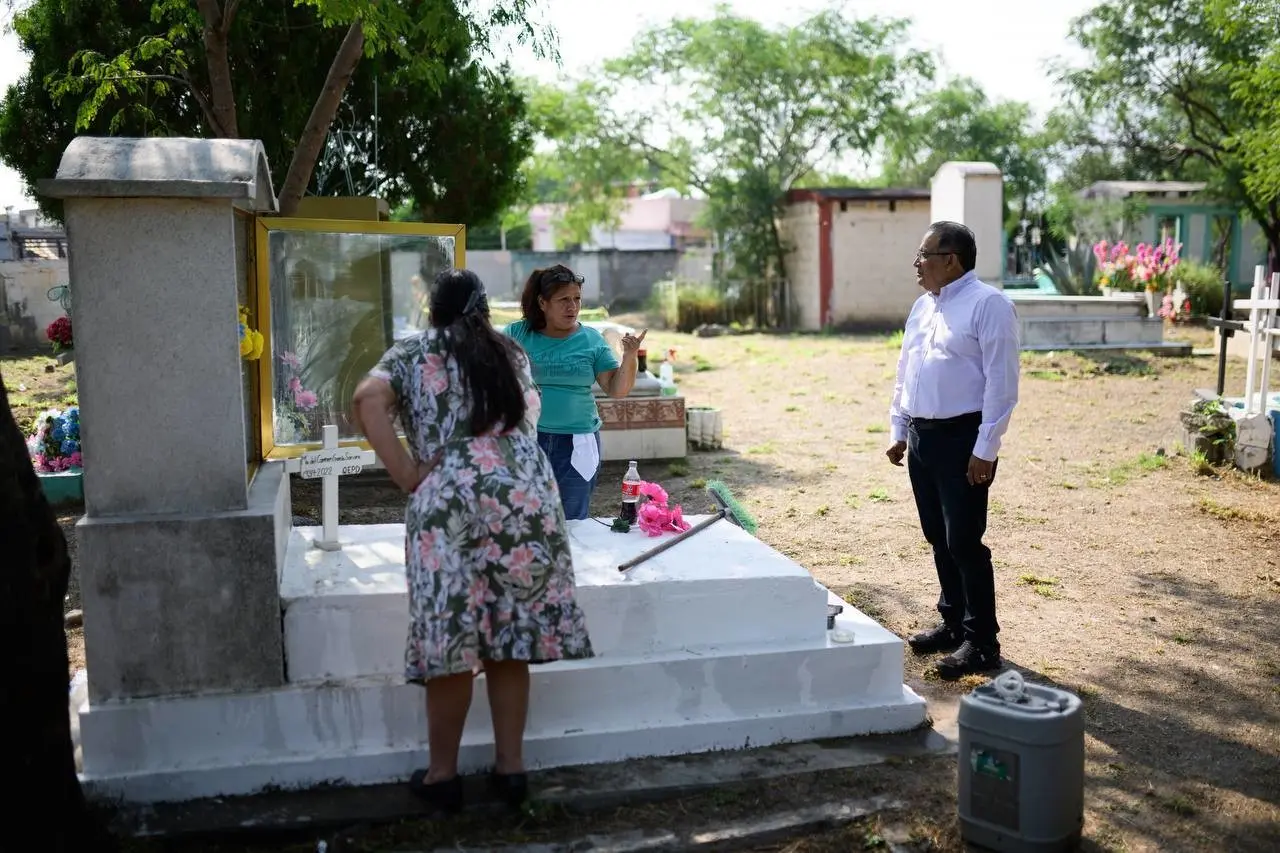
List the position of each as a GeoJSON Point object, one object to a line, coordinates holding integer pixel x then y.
{"type": "Point", "coordinates": [179, 553]}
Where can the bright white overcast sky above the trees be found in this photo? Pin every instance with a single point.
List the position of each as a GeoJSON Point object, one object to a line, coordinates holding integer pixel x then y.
{"type": "Point", "coordinates": [1002, 44]}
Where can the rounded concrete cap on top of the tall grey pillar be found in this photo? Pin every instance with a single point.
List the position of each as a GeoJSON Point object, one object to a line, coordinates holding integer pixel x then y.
{"type": "Point", "coordinates": [98, 167]}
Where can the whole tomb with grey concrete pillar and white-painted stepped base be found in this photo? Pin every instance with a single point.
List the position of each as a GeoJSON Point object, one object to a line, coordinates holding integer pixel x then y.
{"type": "Point", "coordinates": [230, 653]}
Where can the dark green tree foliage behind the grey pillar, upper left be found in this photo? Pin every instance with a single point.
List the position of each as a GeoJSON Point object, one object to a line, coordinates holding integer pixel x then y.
{"type": "Point", "coordinates": [450, 131]}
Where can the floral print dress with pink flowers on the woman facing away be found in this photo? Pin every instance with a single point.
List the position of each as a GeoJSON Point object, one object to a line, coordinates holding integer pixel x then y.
{"type": "Point", "coordinates": [491, 576]}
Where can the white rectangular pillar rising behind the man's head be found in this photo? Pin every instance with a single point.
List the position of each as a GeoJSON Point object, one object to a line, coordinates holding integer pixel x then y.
{"type": "Point", "coordinates": [973, 195]}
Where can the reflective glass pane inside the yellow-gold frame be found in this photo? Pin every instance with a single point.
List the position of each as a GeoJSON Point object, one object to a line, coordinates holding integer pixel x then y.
{"type": "Point", "coordinates": [339, 303]}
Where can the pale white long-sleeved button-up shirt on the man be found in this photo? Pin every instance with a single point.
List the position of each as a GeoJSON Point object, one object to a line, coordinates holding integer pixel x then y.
{"type": "Point", "coordinates": [959, 357]}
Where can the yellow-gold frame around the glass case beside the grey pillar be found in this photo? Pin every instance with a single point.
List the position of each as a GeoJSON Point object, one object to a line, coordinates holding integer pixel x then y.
{"type": "Point", "coordinates": [263, 272]}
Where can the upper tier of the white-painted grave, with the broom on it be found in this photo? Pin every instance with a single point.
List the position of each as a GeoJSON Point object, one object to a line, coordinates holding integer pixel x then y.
{"type": "Point", "coordinates": [346, 613]}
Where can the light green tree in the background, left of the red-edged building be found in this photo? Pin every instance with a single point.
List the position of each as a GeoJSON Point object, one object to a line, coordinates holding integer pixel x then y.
{"type": "Point", "coordinates": [742, 112]}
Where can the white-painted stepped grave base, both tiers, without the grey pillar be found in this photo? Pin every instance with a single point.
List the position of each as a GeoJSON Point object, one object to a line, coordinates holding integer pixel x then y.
{"type": "Point", "coordinates": [719, 644]}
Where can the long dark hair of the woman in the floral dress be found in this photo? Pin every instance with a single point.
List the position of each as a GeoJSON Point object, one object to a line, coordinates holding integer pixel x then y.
{"type": "Point", "coordinates": [484, 355]}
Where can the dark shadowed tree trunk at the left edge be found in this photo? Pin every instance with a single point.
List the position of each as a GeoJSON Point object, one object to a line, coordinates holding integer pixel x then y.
{"type": "Point", "coordinates": [35, 694]}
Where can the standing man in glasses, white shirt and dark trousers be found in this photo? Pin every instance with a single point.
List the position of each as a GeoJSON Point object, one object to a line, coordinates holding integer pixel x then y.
{"type": "Point", "coordinates": [956, 393]}
